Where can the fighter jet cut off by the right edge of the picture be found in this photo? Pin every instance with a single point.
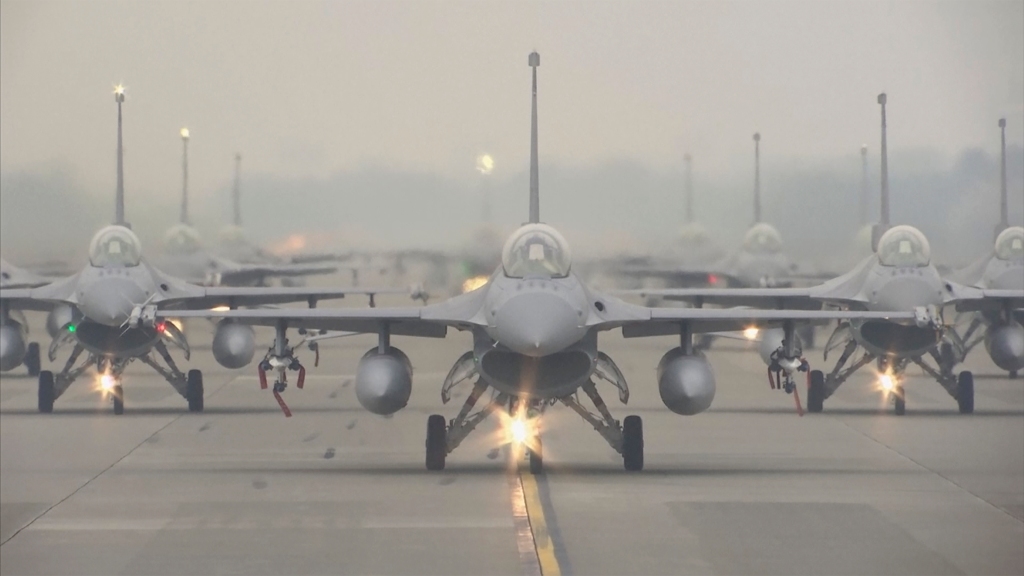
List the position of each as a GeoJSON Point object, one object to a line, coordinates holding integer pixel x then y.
{"type": "Point", "coordinates": [1003, 268]}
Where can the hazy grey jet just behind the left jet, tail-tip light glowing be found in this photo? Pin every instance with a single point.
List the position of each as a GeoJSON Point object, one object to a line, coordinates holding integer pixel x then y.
{"type": "Point", "coordinates": [185, 256]}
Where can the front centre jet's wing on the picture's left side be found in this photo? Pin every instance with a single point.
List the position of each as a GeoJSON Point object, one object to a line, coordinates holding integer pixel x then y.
{"type": "Point", "coordinates": [430, 321]}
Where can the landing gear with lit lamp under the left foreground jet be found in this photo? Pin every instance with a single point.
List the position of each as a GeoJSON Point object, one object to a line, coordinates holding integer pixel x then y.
{"type": "Point", "coordinates": [53, 387]}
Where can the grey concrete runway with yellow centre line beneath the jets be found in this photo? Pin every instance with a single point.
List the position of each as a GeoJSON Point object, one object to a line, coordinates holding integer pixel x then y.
{"type": "Point", "coordinates": [746, 488]}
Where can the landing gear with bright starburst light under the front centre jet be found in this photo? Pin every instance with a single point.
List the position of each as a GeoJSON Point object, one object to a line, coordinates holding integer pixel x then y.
{"type": "Point", "coordinates": [523, 415]}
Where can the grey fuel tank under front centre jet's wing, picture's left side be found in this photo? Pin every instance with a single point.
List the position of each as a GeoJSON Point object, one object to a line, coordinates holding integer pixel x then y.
{"type": "Point", "coordinates": [385, 382]}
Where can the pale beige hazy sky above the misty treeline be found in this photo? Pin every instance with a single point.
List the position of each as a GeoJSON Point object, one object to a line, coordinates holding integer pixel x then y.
{"type": "Point", "coordinates": [306, 90]}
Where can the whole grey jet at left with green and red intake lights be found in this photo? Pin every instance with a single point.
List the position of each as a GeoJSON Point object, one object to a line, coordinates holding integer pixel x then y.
{"type": "Point", "coordinates": [95, 311]}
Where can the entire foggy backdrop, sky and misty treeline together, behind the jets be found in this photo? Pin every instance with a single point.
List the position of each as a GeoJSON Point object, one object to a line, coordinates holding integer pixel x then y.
{"type": "Point", "coordinates": [360, 122]}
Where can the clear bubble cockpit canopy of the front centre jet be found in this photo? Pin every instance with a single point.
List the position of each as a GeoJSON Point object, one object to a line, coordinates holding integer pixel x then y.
{"type": "Point", "coordinates": [536, 251]}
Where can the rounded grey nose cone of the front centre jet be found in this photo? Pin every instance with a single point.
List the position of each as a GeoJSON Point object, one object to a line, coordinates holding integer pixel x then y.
{"type": "Point", "coordinates": [537, 324]}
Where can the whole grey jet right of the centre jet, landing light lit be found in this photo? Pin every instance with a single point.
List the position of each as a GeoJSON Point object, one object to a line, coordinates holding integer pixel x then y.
{"type": "Point", "coordinates": [899, 277]}
